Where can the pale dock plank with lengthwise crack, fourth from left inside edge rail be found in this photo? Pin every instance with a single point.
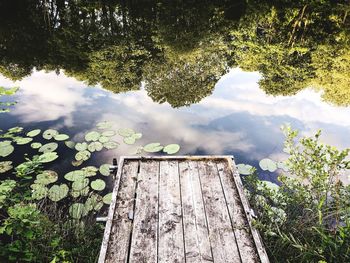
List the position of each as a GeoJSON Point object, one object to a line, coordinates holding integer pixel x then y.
{"type": "Point", "coordinates": [197, 244]}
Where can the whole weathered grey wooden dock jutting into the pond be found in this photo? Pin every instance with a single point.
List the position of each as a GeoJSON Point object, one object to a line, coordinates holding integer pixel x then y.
{"type": "Point", "coordinates": [180, 209]}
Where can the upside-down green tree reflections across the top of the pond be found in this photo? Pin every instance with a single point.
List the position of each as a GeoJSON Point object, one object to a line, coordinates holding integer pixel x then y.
{"type": "Point", "coordinates": [180, 49]}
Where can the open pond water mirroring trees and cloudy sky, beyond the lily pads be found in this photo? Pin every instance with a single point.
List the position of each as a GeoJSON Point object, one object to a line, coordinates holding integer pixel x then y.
{"type": "Point", "coordinates": [216, 77]}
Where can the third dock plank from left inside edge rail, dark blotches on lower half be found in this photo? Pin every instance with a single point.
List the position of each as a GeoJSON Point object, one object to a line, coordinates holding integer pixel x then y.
{"type": "Point", "coordinates": [171, 243]}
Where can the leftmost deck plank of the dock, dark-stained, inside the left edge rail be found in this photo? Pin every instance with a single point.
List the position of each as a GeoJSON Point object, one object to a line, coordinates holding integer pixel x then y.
{"type": "Point", "coordinates": [118, 246]}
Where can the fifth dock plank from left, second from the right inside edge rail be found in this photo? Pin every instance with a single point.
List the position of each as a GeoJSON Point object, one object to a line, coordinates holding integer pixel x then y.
{"type": "Point", "coordinates": [221, 234]}
